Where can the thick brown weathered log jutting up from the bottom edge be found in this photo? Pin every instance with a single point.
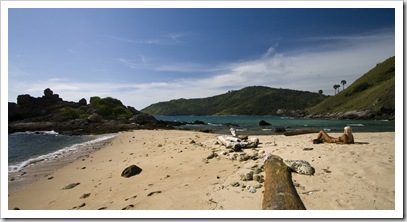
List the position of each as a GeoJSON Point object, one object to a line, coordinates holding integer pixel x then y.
{"type": "Point", "coordinates": [279, 191]}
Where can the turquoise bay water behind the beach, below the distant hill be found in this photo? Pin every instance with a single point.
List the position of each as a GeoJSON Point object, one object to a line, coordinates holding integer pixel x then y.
{"type": "Point", "coordinates": [249, 125]}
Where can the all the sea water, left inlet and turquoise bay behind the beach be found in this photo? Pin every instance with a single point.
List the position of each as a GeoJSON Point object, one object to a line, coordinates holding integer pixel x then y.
{"type": "Point", "coordinates": [30, 148]}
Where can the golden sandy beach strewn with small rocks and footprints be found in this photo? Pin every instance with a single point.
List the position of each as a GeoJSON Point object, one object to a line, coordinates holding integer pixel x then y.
{"type": "Point", "coordinates": [177, 175]}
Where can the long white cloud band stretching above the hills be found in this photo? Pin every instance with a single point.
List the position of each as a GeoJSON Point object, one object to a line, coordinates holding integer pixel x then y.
{"type": "Point", "coordinates": [302, 70]}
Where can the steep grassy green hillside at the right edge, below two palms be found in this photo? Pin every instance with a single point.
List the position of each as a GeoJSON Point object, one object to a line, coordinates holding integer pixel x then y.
{"type": "Point", "coordinates": [372, 96]}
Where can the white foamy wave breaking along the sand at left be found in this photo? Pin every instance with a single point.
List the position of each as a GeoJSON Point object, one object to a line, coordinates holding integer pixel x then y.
{"type": "Point", "coordinates": [53, 155]}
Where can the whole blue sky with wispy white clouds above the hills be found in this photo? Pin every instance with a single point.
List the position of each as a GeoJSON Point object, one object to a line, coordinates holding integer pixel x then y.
{"type": "Point", "coordinates": [148, 55]}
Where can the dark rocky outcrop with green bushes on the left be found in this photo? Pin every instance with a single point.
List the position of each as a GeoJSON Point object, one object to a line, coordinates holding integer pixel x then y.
{"type": "Point", "coordinates": [50, 112]}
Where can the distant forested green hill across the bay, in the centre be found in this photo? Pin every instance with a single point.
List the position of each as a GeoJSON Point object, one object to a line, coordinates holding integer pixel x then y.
{"type": "Point", "coordinates": [253, 100]}
